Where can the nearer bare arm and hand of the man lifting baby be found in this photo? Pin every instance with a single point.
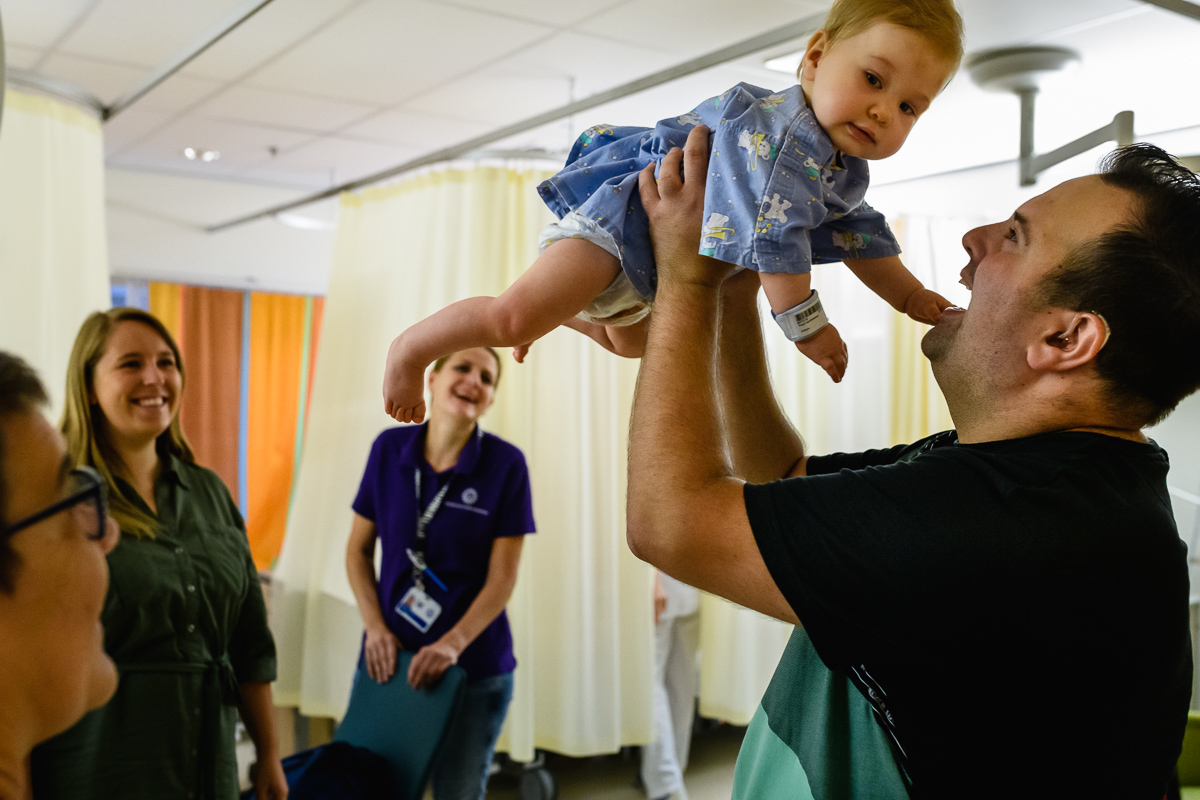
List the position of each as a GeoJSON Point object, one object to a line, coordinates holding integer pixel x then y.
{"type": "Point", "coordinates": [686, 510]}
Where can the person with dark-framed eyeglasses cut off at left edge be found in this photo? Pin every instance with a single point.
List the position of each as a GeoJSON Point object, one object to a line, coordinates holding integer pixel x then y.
{"type": "Point", "coordinates": [55, 533]}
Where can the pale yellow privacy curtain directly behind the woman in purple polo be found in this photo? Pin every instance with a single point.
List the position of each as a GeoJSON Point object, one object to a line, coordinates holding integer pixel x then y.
{"type": "Point", "coordinates": [581, 612]}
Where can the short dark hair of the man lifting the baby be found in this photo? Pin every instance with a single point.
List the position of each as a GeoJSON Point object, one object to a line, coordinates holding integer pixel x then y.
{"type": "Point", "coordinates": [1144, 279]}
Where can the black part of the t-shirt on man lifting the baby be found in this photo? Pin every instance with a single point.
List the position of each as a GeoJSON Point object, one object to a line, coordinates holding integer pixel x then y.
{"type": "Point", "coordinates": [1022, 605]}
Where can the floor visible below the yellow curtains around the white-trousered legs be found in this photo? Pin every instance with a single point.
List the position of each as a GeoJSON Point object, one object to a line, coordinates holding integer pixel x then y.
{"type": "Point", "coordinates": [710, 774]}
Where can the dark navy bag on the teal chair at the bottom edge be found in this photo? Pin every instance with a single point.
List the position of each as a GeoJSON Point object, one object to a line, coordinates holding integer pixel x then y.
{"type": "Point", "coordinates": [337, 772]}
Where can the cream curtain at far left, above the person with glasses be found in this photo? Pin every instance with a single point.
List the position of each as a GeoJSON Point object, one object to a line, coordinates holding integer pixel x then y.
{"type": "Point", "coordinates": [53, 248]}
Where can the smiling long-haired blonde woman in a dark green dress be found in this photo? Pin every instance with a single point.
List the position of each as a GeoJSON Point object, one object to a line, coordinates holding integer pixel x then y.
{"type": "Point", "coordinates": [184, 617]}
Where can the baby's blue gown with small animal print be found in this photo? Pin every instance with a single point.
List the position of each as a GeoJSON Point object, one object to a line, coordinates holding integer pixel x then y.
{"type": "Point", "coordinates": [779, 197]}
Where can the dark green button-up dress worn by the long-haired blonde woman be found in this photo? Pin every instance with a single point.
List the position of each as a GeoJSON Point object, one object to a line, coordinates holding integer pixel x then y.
{"type": "Point", "coordinates": [187, 624]}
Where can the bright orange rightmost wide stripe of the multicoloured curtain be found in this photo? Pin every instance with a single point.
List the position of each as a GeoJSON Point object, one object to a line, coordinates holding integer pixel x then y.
{"type": "Point", "coordinates": [277, 357]}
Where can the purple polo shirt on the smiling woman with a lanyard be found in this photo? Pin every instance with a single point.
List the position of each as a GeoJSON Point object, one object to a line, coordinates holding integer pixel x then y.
{"type": "Point", "coordinates": [489, 498]}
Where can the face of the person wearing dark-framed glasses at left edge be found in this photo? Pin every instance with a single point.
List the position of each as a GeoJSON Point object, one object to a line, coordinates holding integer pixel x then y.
{"type": "Point", "coordinates": [50, 625]}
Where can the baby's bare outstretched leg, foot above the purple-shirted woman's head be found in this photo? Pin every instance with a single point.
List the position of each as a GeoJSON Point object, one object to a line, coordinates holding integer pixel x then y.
{"type": "Point", "coordinates": [557, 286]}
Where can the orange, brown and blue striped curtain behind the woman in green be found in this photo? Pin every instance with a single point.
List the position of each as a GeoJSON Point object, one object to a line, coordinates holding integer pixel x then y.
{"type": "Point", "coordinates": [250, 359]}
